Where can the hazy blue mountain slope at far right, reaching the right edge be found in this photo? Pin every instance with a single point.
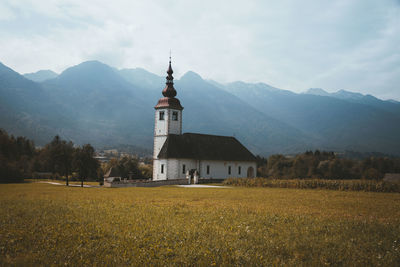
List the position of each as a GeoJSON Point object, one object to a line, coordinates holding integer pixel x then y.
{"type": "Point", "coordinates": [341, 124]}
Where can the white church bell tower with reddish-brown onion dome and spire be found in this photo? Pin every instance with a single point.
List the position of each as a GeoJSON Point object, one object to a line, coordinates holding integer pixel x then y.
{"type": "Point", "coordinates": [168, 120]}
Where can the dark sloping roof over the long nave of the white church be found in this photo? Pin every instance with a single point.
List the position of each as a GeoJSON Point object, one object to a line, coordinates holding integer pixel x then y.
{"type": "Point", "coordinates": [204, 147]}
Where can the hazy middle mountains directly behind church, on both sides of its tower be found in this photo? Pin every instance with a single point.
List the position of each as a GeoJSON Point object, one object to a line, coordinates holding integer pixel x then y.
{"type": "Point", "coordinates": [109, 109]}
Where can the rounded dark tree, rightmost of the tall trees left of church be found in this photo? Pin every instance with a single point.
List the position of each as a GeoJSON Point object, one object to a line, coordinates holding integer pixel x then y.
{"type": "Point", "coordinates": [85, 163]}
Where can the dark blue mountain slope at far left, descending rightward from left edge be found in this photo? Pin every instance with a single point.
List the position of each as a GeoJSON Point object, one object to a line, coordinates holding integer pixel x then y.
{"type": "Point", "coordinates": [24, 108]}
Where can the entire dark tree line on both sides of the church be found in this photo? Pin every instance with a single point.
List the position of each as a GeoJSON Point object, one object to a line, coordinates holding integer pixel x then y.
{"type": "Point", "coordinates": [20, 159]}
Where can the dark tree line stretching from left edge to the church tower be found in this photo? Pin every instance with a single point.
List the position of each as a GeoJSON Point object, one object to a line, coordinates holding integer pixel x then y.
{"type": "Point", "coordinates": [20, 159]}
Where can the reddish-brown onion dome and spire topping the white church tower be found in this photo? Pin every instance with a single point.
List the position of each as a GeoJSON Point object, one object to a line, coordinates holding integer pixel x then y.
{"type": "Point", "coordinates": [169, 93]}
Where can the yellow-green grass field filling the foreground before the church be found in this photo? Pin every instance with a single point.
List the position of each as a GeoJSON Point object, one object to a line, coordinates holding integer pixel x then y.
{"type": "Point", "coordinates": [43, 224]}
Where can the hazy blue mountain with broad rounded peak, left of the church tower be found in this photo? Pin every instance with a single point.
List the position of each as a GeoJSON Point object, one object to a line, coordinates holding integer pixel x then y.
{"type": "Point", "coordinates": [107, 108]}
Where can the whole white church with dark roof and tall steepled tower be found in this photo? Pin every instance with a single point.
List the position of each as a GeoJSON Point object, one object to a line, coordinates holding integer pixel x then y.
{"type": "Point", "coordinates": [190, 155]}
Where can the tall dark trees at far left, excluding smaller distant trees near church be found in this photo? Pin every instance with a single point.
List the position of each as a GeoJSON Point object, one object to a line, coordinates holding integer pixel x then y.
{"type": "Point", "coordinates": [20, 159]}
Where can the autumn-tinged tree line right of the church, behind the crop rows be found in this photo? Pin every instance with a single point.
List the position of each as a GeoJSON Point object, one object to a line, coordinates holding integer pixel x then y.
{"type": "Point", "coordinates": [325, 165]}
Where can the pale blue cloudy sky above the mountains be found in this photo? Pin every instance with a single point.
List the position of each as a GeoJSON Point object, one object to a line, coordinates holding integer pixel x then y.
{"type": "Point", "coordinates": [295, 45]}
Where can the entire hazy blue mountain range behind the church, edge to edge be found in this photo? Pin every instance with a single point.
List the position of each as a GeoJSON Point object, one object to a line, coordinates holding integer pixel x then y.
{"type": "Point", "coordinates": [95, 103]}
